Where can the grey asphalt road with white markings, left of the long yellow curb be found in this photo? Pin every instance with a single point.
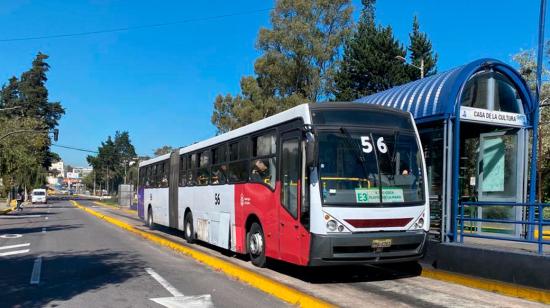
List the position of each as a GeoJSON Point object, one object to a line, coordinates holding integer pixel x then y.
{"type": "Point", "coordinates": [56, 255]}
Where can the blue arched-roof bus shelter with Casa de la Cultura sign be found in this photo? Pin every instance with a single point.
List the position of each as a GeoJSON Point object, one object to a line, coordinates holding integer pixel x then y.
{"type": "Point", "coordinates": [474, 122]}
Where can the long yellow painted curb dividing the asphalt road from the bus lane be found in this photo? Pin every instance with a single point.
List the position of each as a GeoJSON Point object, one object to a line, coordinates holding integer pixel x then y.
{"type": "Point", "coordinates": [256, 280]}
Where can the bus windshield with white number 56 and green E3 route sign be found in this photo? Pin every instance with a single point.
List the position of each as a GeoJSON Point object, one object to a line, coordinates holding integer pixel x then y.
{"type": "Point", "coordinates": [370, 166]}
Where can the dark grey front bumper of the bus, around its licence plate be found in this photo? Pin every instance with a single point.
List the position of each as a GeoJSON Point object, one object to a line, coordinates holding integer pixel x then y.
{"type": "Point", "coordinates": [340, 249]}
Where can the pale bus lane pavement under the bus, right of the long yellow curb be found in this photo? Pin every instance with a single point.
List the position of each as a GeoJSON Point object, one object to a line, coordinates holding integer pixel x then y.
{"type": "Point", "coordinates": [354, 286]}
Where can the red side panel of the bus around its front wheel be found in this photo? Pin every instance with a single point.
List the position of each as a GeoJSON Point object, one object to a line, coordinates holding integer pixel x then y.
{"type": "Point", "coordinates": [286, 238]}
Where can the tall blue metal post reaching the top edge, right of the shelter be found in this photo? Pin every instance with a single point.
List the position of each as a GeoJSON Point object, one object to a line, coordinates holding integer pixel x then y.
{"type": "Point", "coordinates": [533, 169]}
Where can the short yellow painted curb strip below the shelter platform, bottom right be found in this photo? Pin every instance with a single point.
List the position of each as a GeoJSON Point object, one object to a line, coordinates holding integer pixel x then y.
{"type": "Point", "coordinates": [504, 288]}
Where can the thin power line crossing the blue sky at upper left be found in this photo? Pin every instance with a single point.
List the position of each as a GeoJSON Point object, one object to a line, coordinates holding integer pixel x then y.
{"type": "Point", "coordinates": [87, 33]}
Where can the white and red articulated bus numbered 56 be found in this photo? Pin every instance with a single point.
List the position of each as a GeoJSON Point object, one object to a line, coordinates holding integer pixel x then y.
{"type": "Point", "coordinates": [318, 184]}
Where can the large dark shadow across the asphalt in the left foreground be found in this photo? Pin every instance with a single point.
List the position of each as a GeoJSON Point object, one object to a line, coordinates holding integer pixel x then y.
{"type": "Point", "coordinates": [64, 276]}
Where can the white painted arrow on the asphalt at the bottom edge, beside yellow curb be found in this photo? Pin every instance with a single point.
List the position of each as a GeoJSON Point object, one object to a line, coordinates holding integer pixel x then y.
{"type": "Point", "coordinates": [178, 300]}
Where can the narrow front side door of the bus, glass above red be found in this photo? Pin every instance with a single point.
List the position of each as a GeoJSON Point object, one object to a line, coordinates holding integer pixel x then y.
{"type": "Point", "coordinates": [289, 211]}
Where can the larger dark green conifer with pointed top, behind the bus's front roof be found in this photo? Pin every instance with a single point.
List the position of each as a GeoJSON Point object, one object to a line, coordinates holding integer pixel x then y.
{"type": "Point", "coordinates": [369, 63]}
